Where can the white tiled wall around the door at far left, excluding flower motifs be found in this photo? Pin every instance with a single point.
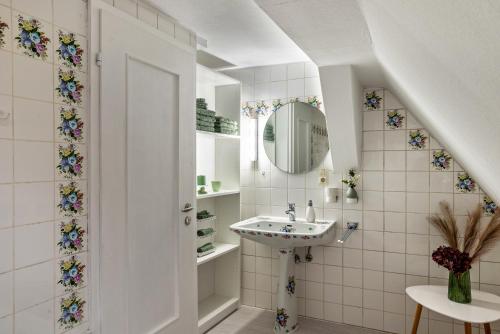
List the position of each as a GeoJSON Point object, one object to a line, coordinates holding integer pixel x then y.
{"type": "Point", "coordinates": [30, 219]}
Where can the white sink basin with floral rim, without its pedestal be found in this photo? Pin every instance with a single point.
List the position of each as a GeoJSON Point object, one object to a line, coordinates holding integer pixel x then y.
{"type": "Point", "coordinates": [282, 233]}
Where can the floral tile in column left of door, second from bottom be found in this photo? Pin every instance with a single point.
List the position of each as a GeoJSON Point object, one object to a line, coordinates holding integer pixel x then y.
{"type": "Point", "coordinates": [71, 273]}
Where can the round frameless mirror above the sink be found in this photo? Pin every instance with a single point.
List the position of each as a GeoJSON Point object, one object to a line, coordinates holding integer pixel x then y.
{"type": "Point", "coordinates": [295, 137]}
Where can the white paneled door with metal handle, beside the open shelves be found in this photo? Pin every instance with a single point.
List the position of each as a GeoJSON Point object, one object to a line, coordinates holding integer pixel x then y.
{"type": "Point", "coordinates": [147, 172]}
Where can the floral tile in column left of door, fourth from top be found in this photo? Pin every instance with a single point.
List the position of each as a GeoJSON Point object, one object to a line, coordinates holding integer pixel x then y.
{"type": "Point", "coordinates": [70, 161]}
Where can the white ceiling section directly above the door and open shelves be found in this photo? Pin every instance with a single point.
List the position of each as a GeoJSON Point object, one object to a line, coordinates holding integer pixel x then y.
{"type": "Point", "coordinates": [237, 31]}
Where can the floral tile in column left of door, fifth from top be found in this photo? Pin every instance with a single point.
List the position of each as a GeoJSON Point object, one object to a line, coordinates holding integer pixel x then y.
{"type": "Point", "coordinates": [70, 199]}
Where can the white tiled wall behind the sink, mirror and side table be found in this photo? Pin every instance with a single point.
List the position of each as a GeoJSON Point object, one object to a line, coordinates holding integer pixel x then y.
{"type": "Point", "coordinates": [363, 282]}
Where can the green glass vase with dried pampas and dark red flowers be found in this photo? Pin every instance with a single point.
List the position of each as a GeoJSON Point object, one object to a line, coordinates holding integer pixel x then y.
{"type": "Point", "coordinates": [458, 259]}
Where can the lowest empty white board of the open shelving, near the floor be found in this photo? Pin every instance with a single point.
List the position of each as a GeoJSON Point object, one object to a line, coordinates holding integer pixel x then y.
{"type": "Point", "coordinates": [213, 309]}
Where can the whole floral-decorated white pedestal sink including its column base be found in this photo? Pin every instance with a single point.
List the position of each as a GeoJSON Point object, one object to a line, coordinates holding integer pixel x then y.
{"type": "Point", "coordinates": [285, 235]}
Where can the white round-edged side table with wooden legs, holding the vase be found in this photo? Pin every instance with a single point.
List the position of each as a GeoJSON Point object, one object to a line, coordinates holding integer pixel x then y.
{"type": "Point", "coordinates": [484, 308]}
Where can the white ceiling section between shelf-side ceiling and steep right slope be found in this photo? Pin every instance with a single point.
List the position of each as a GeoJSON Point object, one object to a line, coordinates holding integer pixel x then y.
{"type": "Point", "coordinates": [331, 32]}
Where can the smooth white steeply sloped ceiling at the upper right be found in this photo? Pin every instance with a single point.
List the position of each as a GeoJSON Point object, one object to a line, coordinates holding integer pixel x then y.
{"type": "Point", "coordinates": [443, 60]}
